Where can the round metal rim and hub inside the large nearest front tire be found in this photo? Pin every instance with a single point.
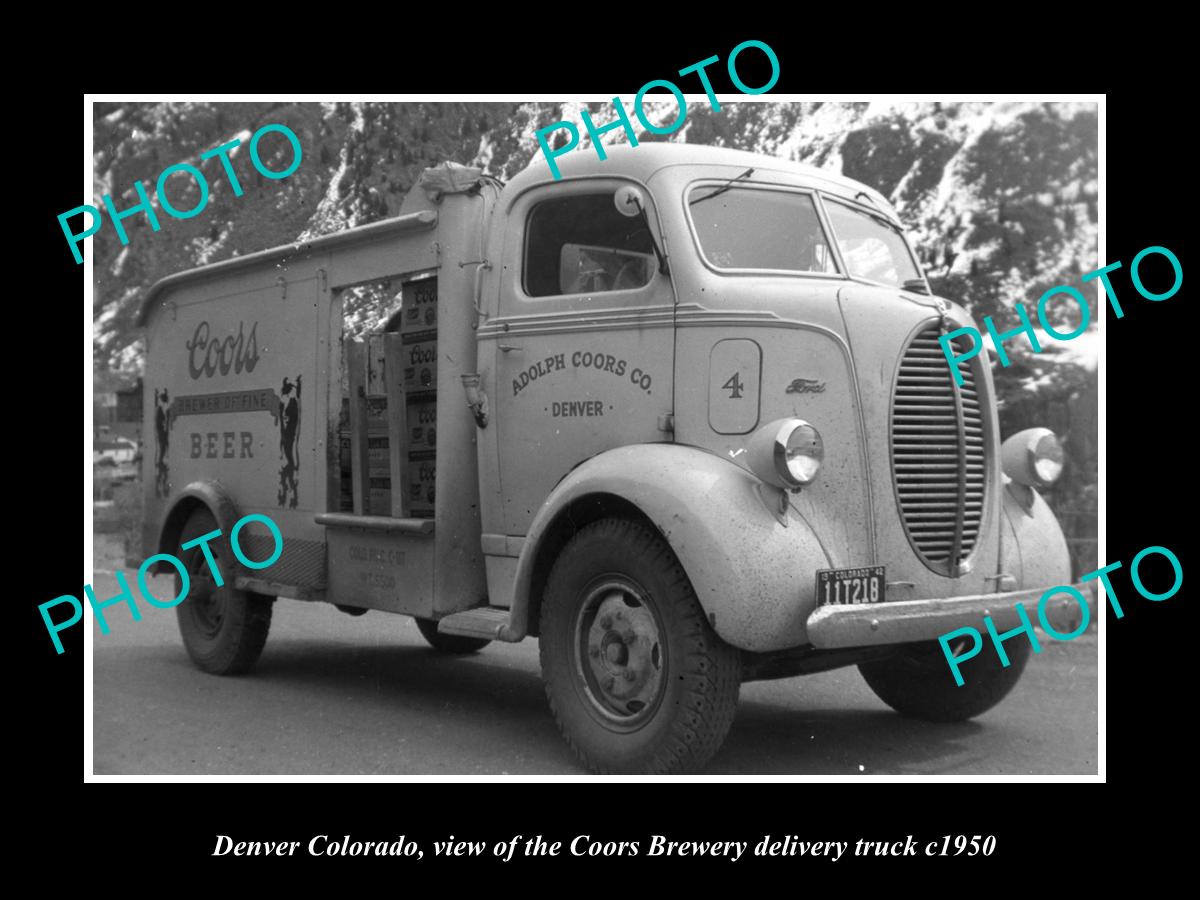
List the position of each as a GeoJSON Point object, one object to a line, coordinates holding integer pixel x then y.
{"type": "Point", "coordinates": [621, 656]}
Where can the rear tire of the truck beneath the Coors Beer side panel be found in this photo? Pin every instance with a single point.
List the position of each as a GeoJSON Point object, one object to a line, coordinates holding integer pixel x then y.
{"type": "Point", "coordinates": [247, 619]}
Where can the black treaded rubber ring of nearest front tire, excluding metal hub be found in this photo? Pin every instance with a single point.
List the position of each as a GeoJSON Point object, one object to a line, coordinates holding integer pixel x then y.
{"type": "Point", "coordinates": [700, 698]}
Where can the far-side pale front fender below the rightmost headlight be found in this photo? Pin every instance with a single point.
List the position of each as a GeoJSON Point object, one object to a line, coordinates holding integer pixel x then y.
{"type": "Point", "coordinates": [1034, 549]}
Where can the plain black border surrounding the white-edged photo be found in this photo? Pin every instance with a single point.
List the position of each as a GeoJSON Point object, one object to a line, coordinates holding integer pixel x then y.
{"type": "Point", "coordinates": [1064, 827]}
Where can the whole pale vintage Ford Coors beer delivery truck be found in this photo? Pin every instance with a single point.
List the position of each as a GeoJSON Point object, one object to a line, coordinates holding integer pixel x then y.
{"type": "Point", "coordinates": [681, 415]}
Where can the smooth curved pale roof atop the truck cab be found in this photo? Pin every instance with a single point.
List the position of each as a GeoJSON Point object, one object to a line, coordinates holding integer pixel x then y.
{"type": "Point", "coordinates": [643, 161]}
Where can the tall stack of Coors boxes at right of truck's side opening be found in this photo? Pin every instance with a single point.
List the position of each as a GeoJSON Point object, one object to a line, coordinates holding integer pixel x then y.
{"type": "Point", "coordinates": [419, 337]}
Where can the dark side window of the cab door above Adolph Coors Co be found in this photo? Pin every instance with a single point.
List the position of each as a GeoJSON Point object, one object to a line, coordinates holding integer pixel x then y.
{"type": "Point", "coordinates": [583, 245]}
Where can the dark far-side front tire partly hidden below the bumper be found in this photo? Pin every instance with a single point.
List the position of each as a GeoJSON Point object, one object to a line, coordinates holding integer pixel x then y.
{"type": "Point", "coordinates": [920, 683]}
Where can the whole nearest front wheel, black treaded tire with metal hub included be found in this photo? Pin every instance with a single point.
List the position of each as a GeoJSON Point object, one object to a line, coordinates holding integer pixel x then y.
{"type": "Point", "coordinates": [635, 676]}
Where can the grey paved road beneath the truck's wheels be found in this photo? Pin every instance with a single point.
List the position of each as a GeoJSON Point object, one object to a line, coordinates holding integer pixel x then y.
{"type": "Point", "coordinates": [341, 695]}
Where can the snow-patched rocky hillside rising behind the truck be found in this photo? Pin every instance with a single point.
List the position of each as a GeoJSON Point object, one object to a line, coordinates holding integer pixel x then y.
{"type": "Point", "coordinates": [1001, 199]}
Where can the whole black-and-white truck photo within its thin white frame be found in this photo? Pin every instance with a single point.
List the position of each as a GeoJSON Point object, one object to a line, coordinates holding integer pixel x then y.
{"type": "Point", "coordinates": [709, 436]}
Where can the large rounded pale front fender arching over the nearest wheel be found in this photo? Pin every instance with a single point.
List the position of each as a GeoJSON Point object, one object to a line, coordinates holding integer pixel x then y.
{"type": "Point", "coordinates": [753, 574]}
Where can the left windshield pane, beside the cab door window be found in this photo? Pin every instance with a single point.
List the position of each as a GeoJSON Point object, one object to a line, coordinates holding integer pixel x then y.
{"type": "Point", "coordinates": [757, 229]}
